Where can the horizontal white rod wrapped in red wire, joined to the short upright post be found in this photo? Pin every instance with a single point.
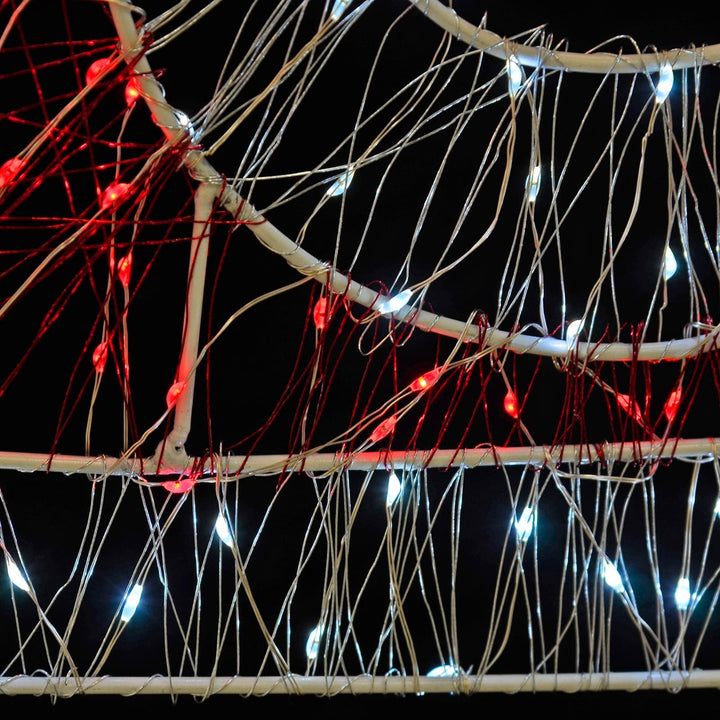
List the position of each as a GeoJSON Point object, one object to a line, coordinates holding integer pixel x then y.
{"type": "Point", "coordinates": [271, 465]}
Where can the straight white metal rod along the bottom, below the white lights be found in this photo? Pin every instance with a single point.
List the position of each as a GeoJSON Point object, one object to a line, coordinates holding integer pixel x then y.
{"type": "Point", "coordinates": [360, 685]}
